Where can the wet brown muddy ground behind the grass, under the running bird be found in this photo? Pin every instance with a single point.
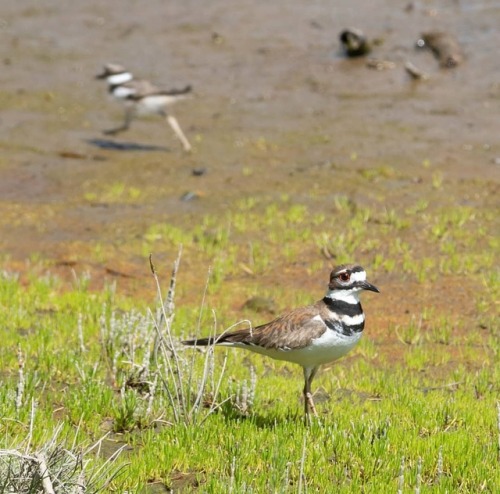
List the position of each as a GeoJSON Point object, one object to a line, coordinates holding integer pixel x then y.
{"type": "Point", "coordinates": [278, 109]}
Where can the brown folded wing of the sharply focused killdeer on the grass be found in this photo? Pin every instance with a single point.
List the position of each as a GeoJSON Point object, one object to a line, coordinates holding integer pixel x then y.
{"type": "Point", "coordinates": [290, 331]}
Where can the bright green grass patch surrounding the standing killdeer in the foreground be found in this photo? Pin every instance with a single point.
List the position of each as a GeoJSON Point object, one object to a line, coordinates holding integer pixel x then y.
{"type": "Point", "coordinates": [414, 408]}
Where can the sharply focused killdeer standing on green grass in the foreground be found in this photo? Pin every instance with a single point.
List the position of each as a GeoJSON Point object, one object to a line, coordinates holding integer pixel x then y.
{"type": "Point", "coordinates": [309, 336]}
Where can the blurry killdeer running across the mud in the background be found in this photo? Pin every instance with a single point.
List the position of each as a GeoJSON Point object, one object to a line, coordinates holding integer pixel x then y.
{"type": "Point", "coordinates": [140, 97]}
